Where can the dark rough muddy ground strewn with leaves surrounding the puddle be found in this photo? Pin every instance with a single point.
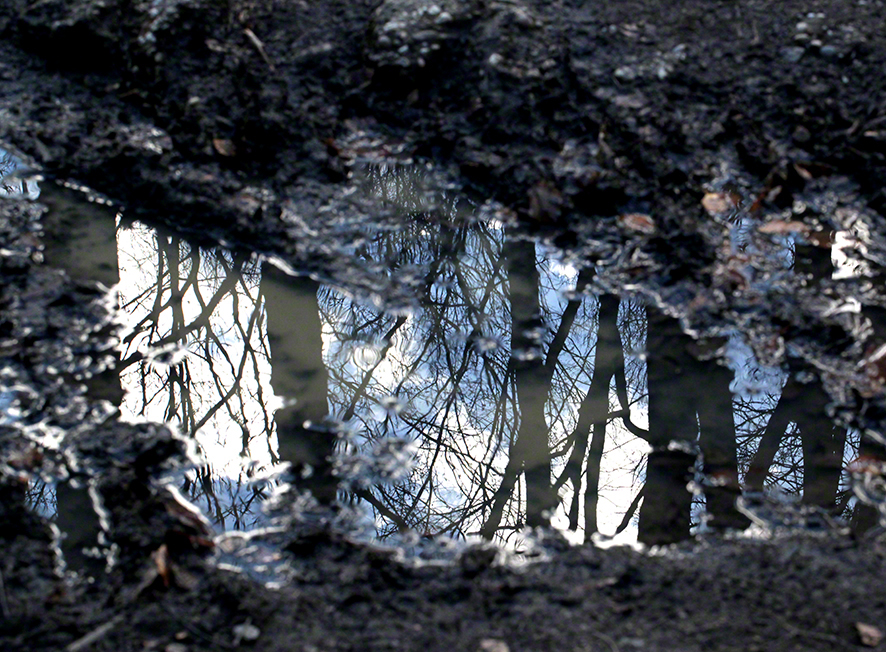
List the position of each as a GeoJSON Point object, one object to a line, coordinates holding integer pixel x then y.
{"type": "Point", "coordinates": [215, 116]}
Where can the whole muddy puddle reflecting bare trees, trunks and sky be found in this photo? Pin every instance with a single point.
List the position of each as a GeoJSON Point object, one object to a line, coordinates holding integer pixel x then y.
{"type": "Point", "coordinates": [512, 390]}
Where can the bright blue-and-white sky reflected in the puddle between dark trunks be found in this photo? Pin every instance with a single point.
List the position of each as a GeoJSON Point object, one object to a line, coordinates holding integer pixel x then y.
{"type": "Point", "coordinates": [424, 404]}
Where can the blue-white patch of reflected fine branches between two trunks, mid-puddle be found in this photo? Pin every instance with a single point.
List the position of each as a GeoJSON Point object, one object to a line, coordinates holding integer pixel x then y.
{"type": "Point", "coordinates": [445, 366]}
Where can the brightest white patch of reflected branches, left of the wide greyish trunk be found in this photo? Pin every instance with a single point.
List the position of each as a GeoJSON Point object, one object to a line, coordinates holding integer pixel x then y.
{"type": "Point", "coordinates": [196, 357]}
